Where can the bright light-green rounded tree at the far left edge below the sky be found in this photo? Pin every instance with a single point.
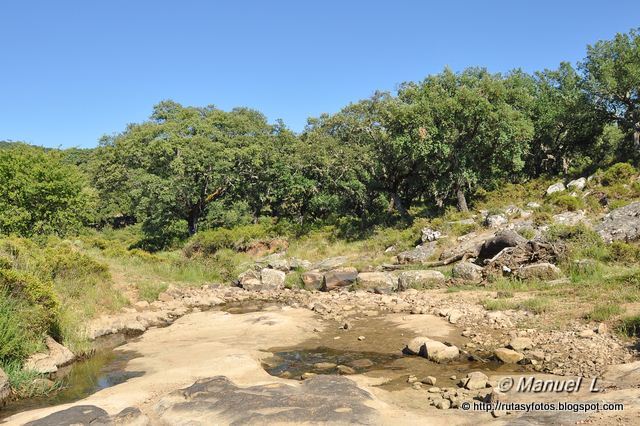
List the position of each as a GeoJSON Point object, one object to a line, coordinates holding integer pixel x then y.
{"type": "Point", "coordinates": [39, 194]}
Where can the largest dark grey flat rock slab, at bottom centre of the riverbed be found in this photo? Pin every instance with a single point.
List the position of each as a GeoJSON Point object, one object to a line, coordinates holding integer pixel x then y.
{"type": "Point", "coordinates": [320, 399]}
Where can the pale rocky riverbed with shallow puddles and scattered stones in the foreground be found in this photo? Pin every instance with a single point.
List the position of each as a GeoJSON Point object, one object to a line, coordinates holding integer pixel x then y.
{"type": "Point", "coordinates": [198, 343]}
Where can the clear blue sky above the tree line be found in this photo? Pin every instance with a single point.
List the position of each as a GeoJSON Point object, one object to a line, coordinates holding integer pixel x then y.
{"type": "Point", "coordinates": [71, 71]}
